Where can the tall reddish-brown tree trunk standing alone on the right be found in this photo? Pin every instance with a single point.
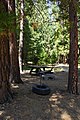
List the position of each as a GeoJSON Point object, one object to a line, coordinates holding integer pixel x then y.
{"type": "Point", "coordinates": [73, 56]}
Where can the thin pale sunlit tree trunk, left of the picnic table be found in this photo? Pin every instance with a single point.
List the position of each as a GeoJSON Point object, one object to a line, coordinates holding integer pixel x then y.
{"type": "Point", "coordinates": [21, 35]}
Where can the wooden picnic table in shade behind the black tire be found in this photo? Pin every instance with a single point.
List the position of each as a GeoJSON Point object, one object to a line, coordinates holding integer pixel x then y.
{"type": "Point", "coordinates": [38, 68]}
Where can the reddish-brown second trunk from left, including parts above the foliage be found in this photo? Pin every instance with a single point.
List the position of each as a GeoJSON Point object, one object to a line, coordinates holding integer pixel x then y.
{"type": "Point", "coordinates": [14, 70]}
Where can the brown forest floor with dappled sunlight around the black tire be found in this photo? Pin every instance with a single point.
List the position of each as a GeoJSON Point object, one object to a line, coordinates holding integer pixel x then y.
{"type": "Point", "coordinates": [58, 105]}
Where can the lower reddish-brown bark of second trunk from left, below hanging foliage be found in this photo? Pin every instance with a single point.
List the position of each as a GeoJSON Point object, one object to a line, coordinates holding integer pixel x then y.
{"type": "Point", "coordinates": [14, 70]}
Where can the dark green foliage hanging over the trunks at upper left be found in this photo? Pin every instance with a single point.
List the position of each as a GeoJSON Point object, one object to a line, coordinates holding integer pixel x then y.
{"type": "Point", "coordinates": [6, 19]}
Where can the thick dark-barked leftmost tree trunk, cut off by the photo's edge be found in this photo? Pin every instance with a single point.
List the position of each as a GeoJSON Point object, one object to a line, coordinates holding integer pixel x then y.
{"type": "Point", "coordinates": [5, 90]}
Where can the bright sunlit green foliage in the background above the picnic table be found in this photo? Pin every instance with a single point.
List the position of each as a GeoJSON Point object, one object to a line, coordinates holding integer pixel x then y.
{"type": "Point", "coordinates": [46, 35]}
